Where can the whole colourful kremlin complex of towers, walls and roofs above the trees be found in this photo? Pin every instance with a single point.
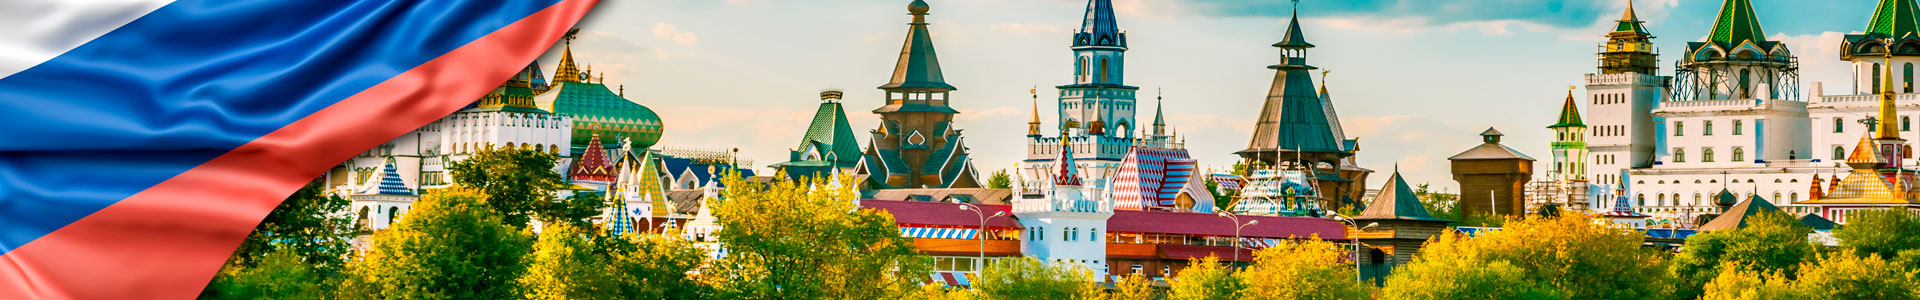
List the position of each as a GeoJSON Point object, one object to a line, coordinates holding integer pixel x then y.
{"type": "Point", "coordinates": [1723, 137]}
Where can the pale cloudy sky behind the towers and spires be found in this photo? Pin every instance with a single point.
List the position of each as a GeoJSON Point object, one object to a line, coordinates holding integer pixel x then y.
{"type": "Point", "coordinates": [1412, 80]}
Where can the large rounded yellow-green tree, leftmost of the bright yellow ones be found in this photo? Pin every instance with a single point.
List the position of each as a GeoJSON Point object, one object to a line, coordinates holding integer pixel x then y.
{"type": "Point", "coordinates": [450, 247]}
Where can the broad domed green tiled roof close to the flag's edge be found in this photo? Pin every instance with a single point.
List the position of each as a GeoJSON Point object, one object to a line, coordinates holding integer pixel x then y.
{"type": "Point", "coordinates": [600, 111]}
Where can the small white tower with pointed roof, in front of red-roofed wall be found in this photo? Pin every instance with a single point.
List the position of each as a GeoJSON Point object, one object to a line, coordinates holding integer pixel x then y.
{"type": "Point", "coordinates": [1067, 222]}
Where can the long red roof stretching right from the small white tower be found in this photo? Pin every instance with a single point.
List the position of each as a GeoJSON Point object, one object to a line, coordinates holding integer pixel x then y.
{"type": "Point", "coordinates": [1209, 224]}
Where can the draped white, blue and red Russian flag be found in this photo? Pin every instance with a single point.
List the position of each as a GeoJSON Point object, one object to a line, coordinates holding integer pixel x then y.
{"type": "Point", "coordinates": [141, 141]}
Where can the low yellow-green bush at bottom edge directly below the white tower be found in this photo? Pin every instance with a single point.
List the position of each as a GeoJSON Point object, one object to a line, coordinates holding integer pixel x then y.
{"type": "Point", "coordinates": [1034, 280]}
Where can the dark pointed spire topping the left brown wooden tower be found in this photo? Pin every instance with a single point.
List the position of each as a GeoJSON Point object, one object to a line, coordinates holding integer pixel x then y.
{"type": "Point", "coordinates": [919, 66]}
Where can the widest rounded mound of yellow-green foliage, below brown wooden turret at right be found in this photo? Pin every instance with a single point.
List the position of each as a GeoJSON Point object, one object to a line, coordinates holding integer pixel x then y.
{"type": "Point", "coordinates": [1572, 255]}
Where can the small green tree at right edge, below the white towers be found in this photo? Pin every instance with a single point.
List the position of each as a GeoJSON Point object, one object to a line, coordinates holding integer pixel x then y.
{"type": "Point", "coordinates": [1881, 232]}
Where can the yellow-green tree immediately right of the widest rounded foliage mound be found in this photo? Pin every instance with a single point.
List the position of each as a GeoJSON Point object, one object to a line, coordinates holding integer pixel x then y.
{"type": "Point", "coordinates": [1771, 243]}
